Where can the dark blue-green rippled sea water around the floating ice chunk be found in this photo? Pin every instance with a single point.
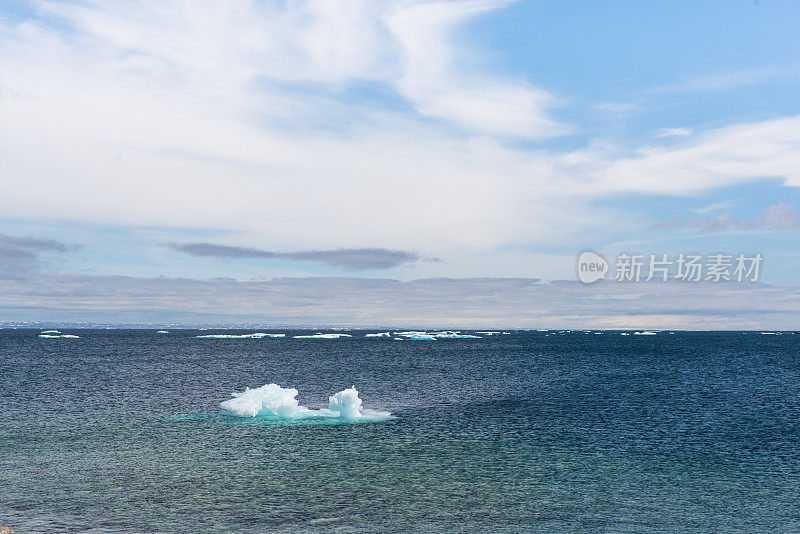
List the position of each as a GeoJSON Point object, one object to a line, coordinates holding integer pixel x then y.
{"type": "Point", "coordinates": [120, 431]}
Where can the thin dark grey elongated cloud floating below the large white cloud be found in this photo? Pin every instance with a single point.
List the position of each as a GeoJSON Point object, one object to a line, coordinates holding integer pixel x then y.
{"type": "Point", "coordinates": [353, 259]}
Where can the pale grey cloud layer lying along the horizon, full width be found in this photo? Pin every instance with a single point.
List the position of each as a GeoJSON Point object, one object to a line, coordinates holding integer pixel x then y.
{"type": "Point", "coordinates": [470, 302]}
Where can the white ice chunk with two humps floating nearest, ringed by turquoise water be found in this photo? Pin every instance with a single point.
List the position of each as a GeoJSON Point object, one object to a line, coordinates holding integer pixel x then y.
{"type": "Point", "coordinates": [274, 402]}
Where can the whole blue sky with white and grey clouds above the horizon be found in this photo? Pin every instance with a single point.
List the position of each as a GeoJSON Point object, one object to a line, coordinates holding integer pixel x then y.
{"type": "Point", "coordinates": [396, 162]}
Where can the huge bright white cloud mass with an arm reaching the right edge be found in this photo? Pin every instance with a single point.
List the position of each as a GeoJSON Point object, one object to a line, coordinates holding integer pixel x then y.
{"type": "Point", "coordinates": [240, 115]}
